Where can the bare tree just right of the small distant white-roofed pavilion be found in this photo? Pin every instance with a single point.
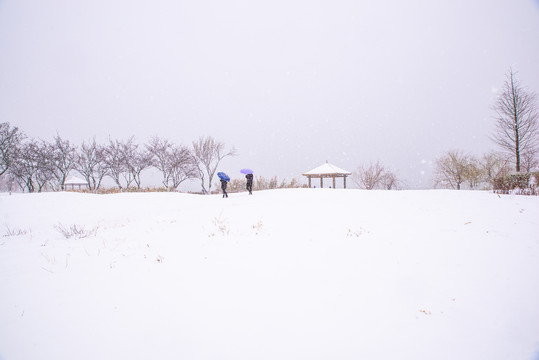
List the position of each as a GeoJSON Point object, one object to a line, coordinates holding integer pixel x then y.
{"type": "Point", "coordinates": [91, 164]}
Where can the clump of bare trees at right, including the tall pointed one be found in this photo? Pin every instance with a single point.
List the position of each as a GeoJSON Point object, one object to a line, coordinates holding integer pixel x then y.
{"type": "Point", "coordinates": [516, 135]}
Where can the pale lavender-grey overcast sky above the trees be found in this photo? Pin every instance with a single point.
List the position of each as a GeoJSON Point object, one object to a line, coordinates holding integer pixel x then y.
{"type": "Point", "coordinates": [289, 83]}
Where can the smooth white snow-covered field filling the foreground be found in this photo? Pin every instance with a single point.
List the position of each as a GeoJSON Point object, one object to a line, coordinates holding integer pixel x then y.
{"type": "Point", "coordinates": [283, 274]}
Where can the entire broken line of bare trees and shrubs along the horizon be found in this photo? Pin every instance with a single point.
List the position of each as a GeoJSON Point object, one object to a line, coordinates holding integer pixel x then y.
{"type": "Point", "coordinates": [34, 164]}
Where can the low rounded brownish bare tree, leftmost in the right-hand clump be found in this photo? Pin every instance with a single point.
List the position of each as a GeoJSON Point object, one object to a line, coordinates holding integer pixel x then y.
{"type": "Point", "coordinates": [451, 169]}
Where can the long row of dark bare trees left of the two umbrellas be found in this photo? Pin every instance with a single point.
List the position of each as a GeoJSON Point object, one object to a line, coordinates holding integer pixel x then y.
{"type": "Point", "coordinates": [35, 164]}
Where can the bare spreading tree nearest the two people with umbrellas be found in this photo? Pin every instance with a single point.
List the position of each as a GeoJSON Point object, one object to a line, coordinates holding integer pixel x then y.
{"type": "Point", "coordinates": [208, 154]}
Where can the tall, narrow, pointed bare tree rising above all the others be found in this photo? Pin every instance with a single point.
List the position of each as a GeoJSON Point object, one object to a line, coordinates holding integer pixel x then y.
{"type": "Point", "coordinates": [516, 121]}
